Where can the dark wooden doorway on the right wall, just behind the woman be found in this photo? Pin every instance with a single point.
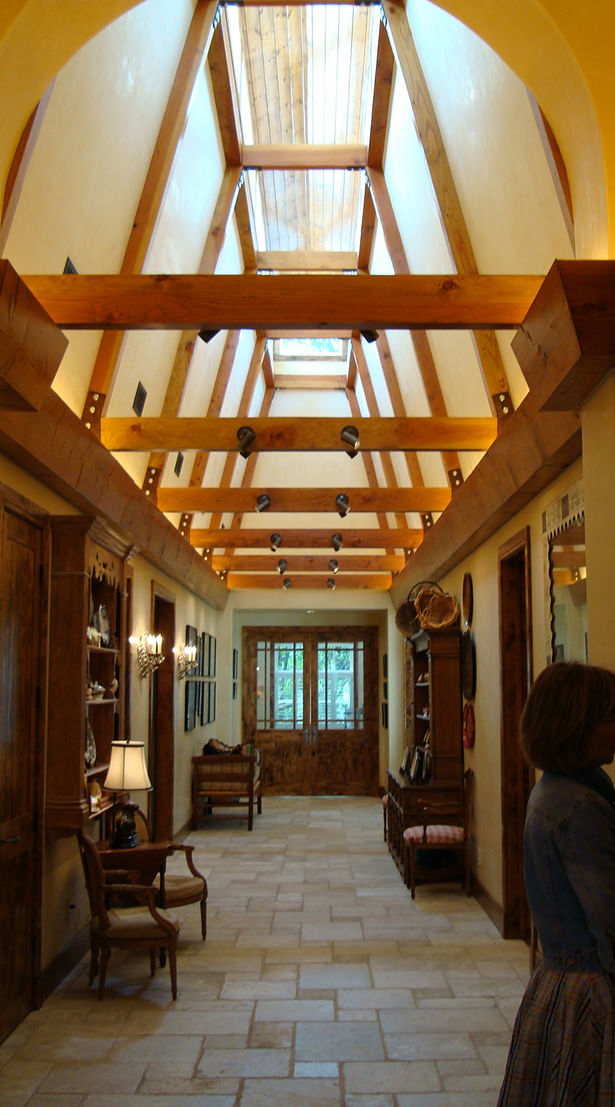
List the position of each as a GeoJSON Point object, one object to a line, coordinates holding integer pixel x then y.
{"type": "Point", "coordinates": [515, 604]}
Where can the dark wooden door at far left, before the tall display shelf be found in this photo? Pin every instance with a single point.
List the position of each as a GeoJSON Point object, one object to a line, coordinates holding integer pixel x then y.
{"type": "Point", "coordinates": [24, 563]}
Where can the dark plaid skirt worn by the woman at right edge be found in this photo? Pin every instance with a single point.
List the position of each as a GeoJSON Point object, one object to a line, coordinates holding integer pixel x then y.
{"type": "Point", "coordinates": [564, 1042]}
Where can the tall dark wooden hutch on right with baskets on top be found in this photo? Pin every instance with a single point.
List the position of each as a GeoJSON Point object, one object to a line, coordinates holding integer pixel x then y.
{"type": "Point", "coordinates": [434, 706]}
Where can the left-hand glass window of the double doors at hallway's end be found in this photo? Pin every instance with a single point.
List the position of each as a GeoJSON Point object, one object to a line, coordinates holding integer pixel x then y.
{"type": "Point", "coordinates": [279, 686]}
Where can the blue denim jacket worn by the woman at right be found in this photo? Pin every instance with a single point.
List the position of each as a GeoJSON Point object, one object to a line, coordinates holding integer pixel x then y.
{"type": "Point", "coordinates": [570, 870]}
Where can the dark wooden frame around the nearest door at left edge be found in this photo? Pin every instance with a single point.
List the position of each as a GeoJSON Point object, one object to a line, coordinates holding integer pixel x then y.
{"type": "Point", "coordinates": [38, 518]}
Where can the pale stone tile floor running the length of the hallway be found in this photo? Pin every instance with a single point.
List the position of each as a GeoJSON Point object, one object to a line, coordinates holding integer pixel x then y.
{"type": "Point", "coordinates": [320, 984]}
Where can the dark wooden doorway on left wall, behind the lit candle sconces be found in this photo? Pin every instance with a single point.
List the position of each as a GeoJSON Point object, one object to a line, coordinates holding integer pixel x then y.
{"type": "Point", "coordinates": [162, 723]}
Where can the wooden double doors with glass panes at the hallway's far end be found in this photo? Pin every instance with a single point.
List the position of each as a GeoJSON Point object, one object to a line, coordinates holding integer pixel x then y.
{"type": "Point", "coordinates": [310, 702]}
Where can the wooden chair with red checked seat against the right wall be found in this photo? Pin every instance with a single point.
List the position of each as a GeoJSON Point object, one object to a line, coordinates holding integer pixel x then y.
{"type": "Point", "coordinates": [443, 827]}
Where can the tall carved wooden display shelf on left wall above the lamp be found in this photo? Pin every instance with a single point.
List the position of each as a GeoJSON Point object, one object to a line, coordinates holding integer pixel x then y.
{"type": "Point", "coordinates": [87, 673]}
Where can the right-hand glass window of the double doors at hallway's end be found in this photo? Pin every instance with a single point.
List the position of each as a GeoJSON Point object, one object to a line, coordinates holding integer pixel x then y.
{"type": "Point", "coordinates": [341, 686]}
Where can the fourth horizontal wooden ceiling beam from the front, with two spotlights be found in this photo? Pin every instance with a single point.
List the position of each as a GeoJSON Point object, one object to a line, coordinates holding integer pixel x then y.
{"type": "Point", "coordinates": [306, 539]}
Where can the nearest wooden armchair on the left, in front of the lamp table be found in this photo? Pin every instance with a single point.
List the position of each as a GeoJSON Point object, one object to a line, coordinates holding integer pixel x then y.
{"type": "Point", "coordinates": [140, 927]}
